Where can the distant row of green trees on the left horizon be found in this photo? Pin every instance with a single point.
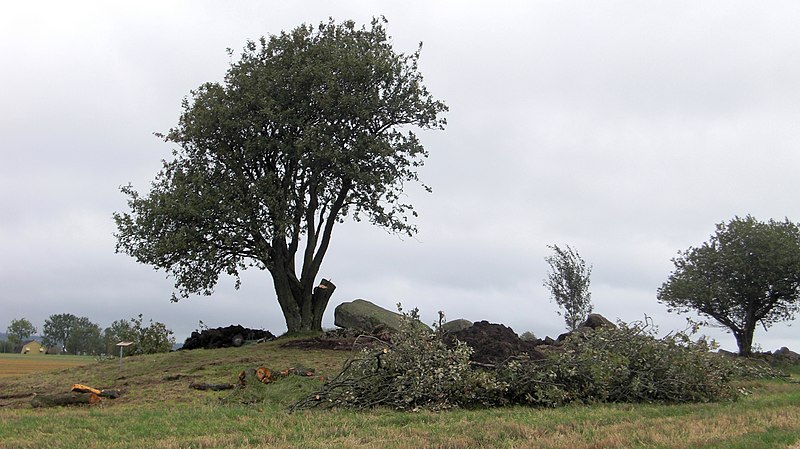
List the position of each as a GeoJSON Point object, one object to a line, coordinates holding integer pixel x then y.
{"type": "Point", "coordinates": [65, 333]}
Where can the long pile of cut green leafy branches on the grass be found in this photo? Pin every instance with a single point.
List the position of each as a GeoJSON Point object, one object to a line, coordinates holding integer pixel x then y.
{"type": "Point", "coordinates": [417, 370]}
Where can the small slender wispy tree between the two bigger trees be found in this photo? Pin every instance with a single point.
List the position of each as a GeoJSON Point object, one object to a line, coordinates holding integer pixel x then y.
{"type": "Point", "coordinates": [568, 282]}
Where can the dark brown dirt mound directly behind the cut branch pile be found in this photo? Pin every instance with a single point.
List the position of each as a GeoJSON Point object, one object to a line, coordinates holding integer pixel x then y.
{"type": "Point", "coordinates": [494, 343]}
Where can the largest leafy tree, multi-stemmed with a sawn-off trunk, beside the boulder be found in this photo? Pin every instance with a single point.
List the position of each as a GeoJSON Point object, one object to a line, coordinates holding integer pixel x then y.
{"type": "Point", "coordinates": [309, 127]}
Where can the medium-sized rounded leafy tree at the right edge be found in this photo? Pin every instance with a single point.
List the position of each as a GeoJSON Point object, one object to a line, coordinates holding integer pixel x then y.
{"type": "Point", "coordinates": [747, 273]}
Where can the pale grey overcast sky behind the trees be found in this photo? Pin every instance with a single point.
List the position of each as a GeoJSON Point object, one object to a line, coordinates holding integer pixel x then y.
{"type": "Point", "coordinates": [626, 129]}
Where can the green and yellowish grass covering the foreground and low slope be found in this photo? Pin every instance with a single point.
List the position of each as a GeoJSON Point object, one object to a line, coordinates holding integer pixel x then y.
{"type": "Point", "coordinates": [158, 410]}
